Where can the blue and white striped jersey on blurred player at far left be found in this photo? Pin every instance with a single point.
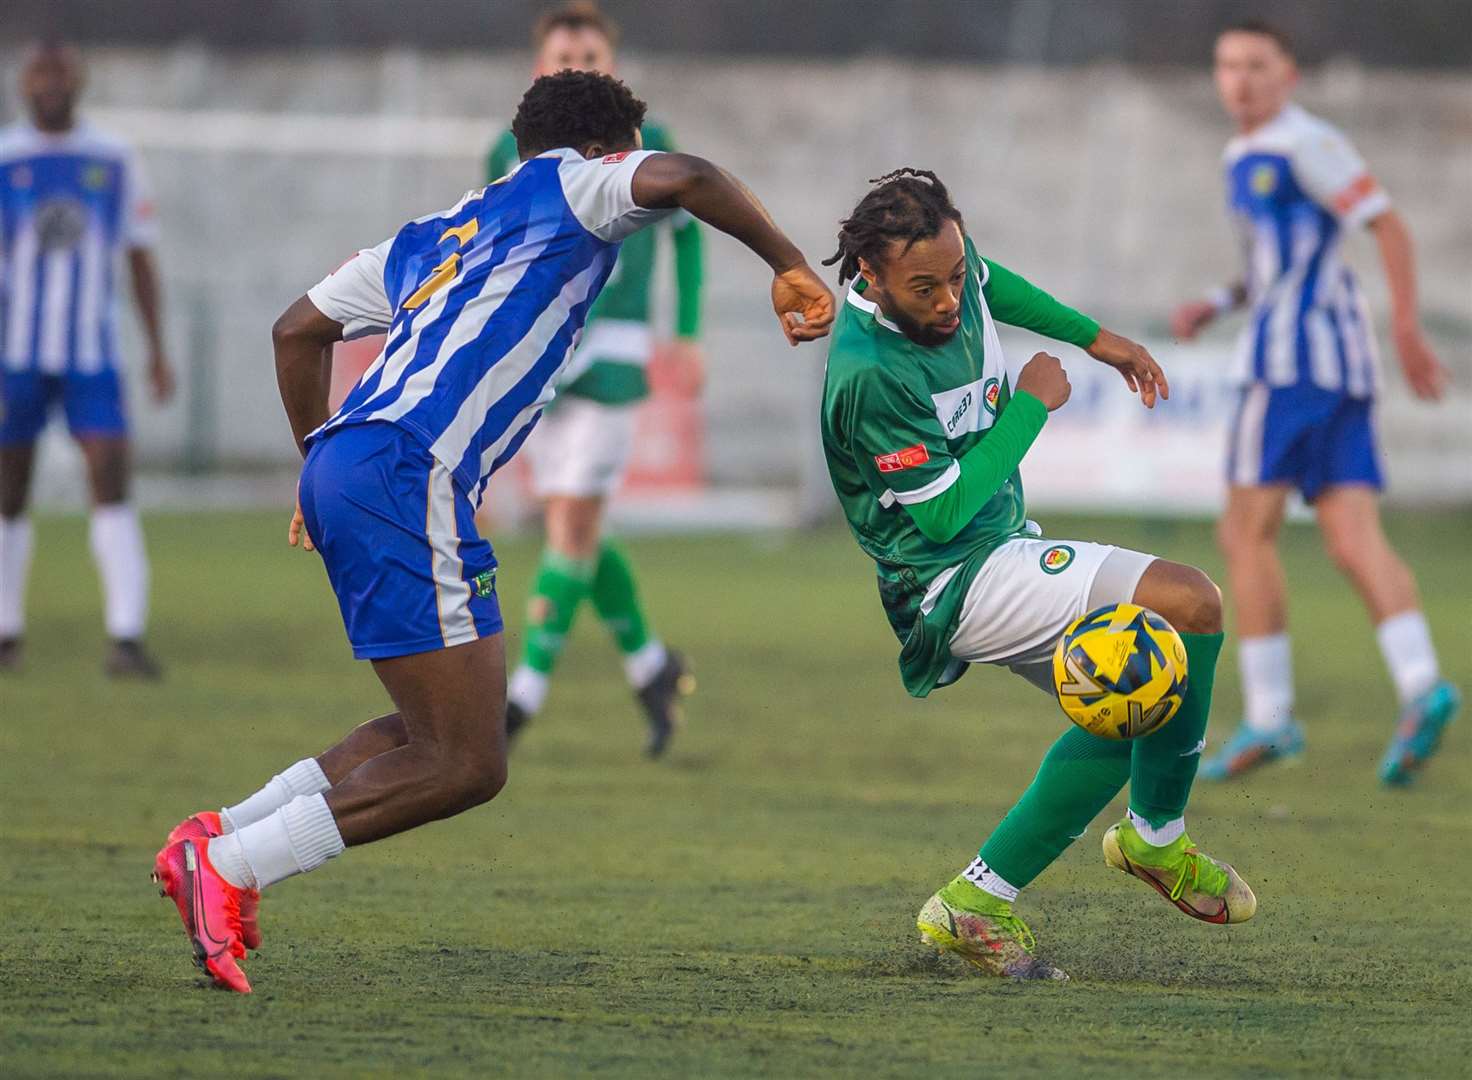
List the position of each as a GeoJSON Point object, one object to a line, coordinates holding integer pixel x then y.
{"type": "Point", "coordinates": [70, 204]}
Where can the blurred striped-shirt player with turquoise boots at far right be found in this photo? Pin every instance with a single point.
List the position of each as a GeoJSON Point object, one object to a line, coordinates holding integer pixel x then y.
{"type": "Point", "coordinates": [1306, 416]}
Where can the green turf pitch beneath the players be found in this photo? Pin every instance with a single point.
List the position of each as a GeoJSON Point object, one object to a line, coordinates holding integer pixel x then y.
{"type": "Point", "coordinates": [746, 907]}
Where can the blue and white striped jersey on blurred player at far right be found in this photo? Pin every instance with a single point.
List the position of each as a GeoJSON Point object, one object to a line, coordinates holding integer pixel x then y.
{"type": "Point", "coordinates": [1293, 188]}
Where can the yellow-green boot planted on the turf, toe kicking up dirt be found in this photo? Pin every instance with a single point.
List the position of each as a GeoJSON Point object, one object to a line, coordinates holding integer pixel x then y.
{"type": "Point", "coordinates": [983, 931]}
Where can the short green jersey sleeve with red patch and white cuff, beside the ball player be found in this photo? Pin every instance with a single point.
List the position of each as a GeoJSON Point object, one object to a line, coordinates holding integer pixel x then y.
{"type": "Point", "coordinates": [897, 442]}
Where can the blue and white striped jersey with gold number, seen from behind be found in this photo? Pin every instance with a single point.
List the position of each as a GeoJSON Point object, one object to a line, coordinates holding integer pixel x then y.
{"type": "Point", "coordinates": [482, 305]}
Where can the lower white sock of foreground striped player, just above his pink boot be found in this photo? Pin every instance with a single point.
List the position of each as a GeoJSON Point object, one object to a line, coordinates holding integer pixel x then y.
{"type": "Point", "coordinates": [295, 839]}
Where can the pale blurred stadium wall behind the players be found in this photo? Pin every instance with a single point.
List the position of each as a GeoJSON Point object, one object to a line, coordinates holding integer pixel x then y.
{"type": "Point", "coordinates": [1099, 182]}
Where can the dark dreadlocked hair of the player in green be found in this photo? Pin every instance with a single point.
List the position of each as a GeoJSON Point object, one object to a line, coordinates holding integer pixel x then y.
{"type": "Point", "coordinates": [906, 205]}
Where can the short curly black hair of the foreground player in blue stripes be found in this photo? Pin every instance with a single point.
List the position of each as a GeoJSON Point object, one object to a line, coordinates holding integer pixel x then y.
{"type": "Point", "coordinates": [576, 108]}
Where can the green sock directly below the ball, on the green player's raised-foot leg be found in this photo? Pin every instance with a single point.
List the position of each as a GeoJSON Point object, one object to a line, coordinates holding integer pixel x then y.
{"type": "Point", "coordinates": [1164, 764]}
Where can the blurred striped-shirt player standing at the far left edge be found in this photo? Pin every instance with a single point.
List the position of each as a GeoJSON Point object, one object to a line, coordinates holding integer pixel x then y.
{"type": "Point", "coordinates": [71, 202]}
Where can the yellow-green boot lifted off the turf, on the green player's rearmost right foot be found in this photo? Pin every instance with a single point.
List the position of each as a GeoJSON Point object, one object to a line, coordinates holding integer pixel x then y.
{"type": "Point", "coordinates": [1196, 884]}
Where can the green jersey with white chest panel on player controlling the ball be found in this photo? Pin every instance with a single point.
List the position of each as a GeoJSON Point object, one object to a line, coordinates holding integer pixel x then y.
{"type": "Point", "coordinates": [897, 419]}
